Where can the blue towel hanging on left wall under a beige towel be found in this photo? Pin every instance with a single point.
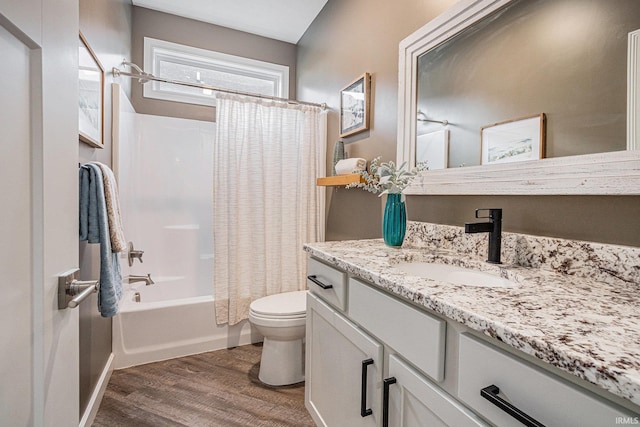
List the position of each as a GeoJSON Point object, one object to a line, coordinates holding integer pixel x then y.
{"type": "Point", "coordinates": [94, 227]}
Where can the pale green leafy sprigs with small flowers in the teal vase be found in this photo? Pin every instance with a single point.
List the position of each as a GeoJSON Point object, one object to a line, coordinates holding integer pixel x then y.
{"type": "Point", "coordinates": [386, 178]}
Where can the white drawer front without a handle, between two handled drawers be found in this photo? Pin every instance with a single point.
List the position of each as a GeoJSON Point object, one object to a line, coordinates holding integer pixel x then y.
{"type": "Point", "coordinates": [415, 334]}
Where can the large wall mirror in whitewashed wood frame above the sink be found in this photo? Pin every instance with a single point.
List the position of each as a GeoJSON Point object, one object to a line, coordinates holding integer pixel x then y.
{"type": "Point", "coordinates": [439, 81]}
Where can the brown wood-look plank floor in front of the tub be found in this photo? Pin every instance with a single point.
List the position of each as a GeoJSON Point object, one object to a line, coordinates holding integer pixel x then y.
{"type": "Point", "coordinates": [220, 388]}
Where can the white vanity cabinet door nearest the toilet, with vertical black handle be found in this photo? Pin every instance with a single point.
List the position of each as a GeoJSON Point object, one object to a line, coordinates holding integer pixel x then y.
{"type": "Point", "coordinates": [337, 356]}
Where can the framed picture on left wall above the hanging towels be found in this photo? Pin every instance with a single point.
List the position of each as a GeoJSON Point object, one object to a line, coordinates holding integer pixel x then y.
{"type": "Point", "coordinates": [90, 96]}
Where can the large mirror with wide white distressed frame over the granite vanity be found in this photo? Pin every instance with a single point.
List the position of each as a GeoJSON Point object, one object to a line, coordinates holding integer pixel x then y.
{"type": "Point", "coordinates": [615, 172]}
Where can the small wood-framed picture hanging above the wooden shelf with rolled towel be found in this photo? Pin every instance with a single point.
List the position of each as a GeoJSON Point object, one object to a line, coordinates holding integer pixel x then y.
{"type": "Point", "coordinates": [354, 106]}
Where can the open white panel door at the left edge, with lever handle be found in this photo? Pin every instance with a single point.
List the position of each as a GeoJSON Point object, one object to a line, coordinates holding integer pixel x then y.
{"type": "Point", "coordinates": [38, 211]}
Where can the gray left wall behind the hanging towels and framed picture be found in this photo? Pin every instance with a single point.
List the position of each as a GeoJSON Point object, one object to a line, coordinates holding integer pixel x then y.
{"type": "Point", "coordinates": [106, 24]}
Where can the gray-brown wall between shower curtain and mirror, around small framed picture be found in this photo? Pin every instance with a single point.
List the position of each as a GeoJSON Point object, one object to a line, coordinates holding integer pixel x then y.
{"type": "Point", "coordinates": [345, 40]}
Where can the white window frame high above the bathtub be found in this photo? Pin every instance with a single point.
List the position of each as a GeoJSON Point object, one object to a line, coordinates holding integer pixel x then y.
{"type": "Point", "coordinates": [156, 50]}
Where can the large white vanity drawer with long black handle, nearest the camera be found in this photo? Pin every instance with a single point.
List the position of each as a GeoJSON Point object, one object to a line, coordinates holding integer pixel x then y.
{"type": "Point", "coordinates": [544, 397]}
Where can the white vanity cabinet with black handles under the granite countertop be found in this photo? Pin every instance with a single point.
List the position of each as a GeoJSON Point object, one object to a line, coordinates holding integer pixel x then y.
{"type": "Point", "coordinates": [366, 349]}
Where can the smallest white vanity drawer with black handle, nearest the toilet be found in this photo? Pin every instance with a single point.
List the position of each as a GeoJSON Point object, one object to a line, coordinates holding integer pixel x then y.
{"type": "Point", "coordinates": [328, 283]}
